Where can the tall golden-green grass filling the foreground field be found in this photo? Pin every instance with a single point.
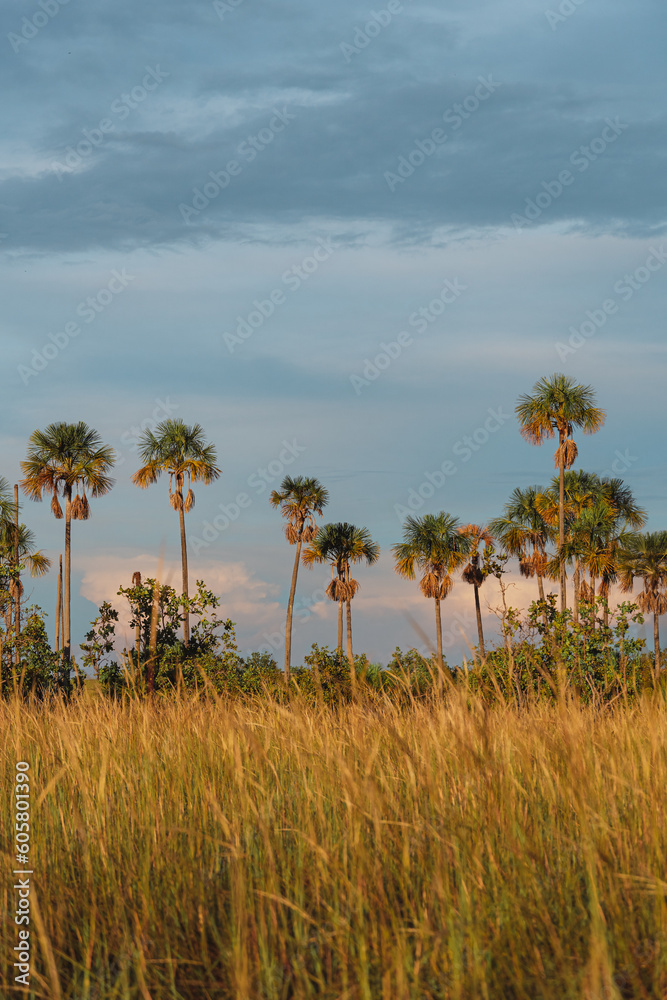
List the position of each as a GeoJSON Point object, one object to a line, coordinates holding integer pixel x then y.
{"type": "Point", "coordinates": [188, 849]}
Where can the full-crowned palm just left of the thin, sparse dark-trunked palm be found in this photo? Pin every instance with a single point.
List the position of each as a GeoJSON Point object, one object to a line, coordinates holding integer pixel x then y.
{"type": "Point", "coordinates": [434, 545]}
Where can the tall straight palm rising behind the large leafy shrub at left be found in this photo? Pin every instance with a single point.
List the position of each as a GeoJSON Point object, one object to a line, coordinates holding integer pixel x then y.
{"type": "Point", "coordinates": [181, 452]}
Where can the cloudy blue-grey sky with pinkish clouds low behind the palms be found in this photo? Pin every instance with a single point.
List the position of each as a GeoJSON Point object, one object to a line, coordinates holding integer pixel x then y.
{"type": "Point", "coordinates": [344, 239]}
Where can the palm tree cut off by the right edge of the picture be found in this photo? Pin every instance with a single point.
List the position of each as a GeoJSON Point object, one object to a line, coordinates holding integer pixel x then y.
{"type": "Point", "coordinates": [645, 556]}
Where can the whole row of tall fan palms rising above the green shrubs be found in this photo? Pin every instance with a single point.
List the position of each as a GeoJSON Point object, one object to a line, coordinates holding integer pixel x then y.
{"type": "Point", "coordinates": [580, 521]}
